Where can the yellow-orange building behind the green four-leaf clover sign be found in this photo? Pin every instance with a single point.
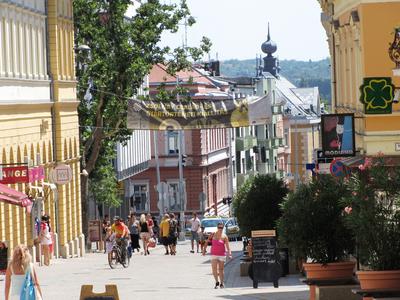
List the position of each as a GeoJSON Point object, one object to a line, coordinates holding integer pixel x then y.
{"type": "Point", "coordinates": [359, 35]}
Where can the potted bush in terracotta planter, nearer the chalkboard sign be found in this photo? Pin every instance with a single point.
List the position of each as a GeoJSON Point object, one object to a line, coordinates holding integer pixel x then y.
{"type": "Point", "coordinates": [313, 227]}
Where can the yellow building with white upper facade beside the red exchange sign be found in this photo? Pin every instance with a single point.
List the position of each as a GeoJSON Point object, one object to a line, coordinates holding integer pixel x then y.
{"type": "Point", "coordinates": [39, 120]}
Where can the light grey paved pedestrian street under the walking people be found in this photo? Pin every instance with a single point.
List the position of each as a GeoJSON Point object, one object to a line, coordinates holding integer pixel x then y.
{"type": "Point", "coordinates": [158, 276]}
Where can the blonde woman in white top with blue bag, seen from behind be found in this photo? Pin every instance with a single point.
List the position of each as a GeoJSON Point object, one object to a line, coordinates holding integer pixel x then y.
{"type": "Point", "coordinates": [20, 265]}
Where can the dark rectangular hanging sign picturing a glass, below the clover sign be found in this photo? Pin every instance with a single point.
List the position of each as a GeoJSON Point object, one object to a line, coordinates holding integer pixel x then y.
{"type": "Point", "coordinates": [338, 135]}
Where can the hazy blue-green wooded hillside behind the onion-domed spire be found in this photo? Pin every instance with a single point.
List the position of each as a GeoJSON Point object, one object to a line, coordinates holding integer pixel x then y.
{"type": "Point", "coordinates": [300, 73]}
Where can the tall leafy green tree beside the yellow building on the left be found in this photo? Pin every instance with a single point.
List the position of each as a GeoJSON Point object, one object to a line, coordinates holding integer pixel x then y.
{"type": "Point", "coordinates": [122, 52]}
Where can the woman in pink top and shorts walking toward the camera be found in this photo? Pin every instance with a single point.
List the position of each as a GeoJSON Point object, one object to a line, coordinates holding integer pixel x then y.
{"type": "Point", "coordinates": [219, 247]}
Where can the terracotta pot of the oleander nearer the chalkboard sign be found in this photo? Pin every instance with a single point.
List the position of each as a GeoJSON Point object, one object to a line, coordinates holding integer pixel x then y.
{"type": "Point", "coordinates": [337, 270]}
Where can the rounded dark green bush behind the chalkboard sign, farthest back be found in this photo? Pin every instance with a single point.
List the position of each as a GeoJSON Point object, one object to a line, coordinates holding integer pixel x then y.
{"type": "Point", "coordinates": [257, 203]}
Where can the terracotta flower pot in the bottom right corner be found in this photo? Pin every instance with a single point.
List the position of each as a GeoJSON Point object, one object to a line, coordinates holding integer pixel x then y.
{"type": "Point", "coordinates": [378, 280]}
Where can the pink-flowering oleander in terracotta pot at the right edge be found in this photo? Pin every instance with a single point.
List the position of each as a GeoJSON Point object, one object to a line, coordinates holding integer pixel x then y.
{"type": "Point", "coordinates": [373, 216]}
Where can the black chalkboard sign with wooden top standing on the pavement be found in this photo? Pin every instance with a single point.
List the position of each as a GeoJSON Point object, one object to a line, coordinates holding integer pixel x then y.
{"type": "Point", "coordinates": [265, 265]}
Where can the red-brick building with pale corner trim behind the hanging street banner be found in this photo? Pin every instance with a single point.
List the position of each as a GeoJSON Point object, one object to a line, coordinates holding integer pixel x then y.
{"type": "Point", "coordinates": [206, 153]}
